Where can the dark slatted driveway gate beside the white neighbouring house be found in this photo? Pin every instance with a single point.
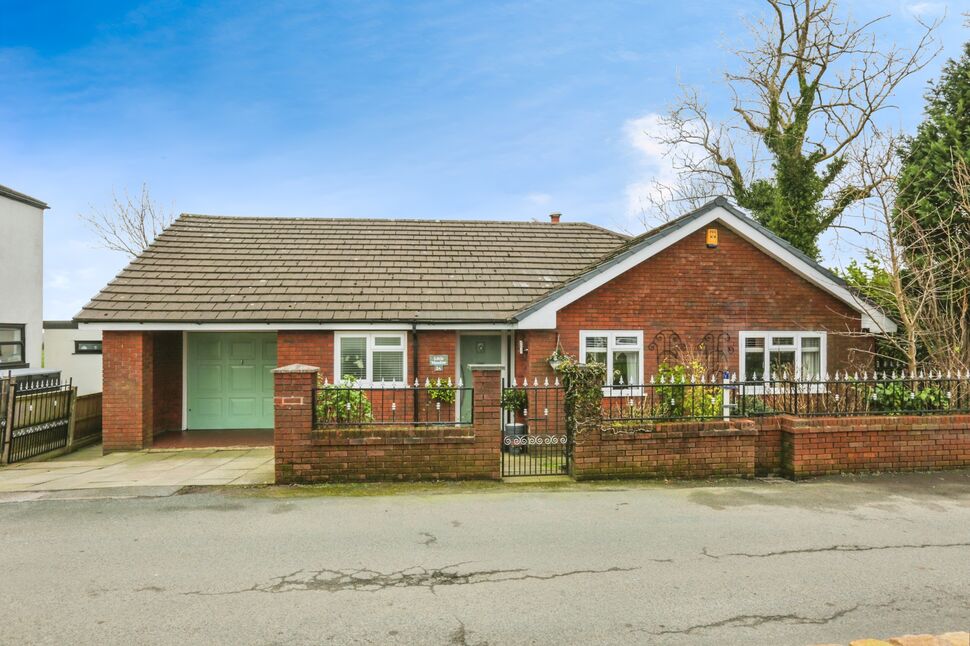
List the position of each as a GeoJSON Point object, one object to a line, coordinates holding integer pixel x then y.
{"type": "Point", "coordinates": [38, 415]}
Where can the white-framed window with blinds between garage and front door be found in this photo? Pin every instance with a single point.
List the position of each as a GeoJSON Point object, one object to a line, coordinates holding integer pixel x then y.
{"type": "Point", "coordinates": [370, 358]}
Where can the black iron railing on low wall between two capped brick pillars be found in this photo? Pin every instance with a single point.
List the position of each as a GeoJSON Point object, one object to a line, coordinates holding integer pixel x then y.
{"type": "Point", "coordinates": [437, 403]}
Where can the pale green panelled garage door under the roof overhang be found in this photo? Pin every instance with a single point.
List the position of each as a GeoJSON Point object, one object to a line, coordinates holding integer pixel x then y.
{"type": "Point", "coordinates": [230, 380]}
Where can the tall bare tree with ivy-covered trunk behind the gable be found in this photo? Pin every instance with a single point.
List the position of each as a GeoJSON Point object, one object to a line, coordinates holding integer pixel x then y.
{"type": "Point", "coordinates": [806, 90]}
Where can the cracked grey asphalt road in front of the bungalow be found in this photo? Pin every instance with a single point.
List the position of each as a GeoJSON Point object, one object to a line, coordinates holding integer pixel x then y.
{"type": "Point", "coordinates": [732, 563]}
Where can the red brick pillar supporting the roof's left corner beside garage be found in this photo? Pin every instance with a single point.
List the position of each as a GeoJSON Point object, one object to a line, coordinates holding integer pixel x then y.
{"type": "Point", "coordinates": [128, 406]}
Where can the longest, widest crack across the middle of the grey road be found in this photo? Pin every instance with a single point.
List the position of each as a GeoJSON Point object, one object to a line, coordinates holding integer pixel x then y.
{"type": "Point", "coordinates": [364, 580]}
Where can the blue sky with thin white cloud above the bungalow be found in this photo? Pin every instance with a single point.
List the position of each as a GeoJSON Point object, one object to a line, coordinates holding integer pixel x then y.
{"type": "Point", "coordinates": [501, 110]}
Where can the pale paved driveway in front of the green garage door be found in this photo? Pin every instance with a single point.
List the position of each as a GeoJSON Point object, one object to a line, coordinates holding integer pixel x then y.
{"type": "Point", "coordinates": [88, 469]}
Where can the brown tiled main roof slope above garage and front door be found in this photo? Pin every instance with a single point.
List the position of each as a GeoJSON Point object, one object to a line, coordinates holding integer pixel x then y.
{"type": "Point", "coordinates": [240, 269]}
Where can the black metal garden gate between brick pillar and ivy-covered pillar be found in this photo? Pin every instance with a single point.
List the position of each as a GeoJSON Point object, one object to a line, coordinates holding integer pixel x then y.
{"type": "Point", "coordinates": [535, 437]}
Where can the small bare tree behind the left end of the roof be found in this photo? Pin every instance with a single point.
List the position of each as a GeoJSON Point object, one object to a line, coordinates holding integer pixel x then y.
{"type": "Point", "coordinates": [130, 224]}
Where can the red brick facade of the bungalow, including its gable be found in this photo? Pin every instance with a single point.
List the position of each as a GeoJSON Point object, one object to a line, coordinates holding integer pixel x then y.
{"type": "Point", "coordinates": [687, 289]}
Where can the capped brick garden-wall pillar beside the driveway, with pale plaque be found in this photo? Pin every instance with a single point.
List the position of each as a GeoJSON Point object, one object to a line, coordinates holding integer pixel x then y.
{"type": "Point", "coordinates": [293, 430]}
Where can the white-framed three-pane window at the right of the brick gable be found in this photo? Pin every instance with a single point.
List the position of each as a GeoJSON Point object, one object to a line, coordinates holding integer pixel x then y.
{"type": "Point", "coordinates": [792, 354]}
